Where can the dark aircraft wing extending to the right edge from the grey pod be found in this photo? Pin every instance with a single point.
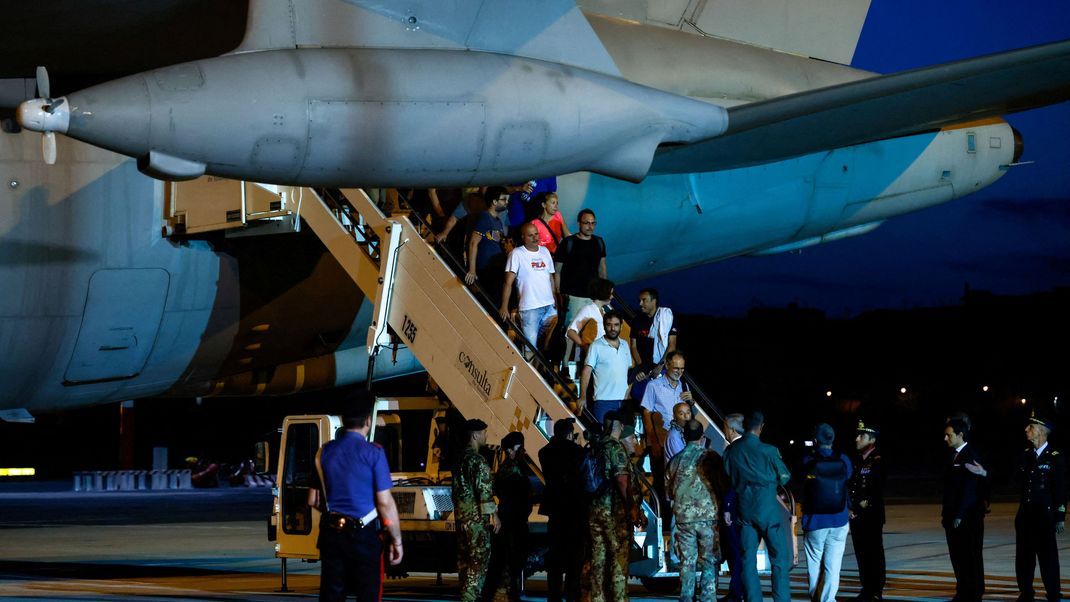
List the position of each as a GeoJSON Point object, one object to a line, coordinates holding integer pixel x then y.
{"type": "Point", "coordinates": [878, 109]}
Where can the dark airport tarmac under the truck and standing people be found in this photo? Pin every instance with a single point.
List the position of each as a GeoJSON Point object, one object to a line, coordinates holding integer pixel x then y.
{"type": "Point", "coordinates": [211, 545]}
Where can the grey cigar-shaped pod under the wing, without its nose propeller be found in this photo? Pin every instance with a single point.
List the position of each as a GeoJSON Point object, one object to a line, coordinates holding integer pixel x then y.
{"type": "Point", "coordinates": [363, 117]}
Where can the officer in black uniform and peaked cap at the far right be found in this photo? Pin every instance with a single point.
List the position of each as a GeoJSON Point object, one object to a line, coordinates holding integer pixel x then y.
{"type": "Point", "coordinates": [1042, 476]}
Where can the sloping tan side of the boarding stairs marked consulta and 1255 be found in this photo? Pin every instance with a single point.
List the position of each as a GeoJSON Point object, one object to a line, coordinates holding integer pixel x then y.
{"type": "Point", "coordinates": [422, 302]}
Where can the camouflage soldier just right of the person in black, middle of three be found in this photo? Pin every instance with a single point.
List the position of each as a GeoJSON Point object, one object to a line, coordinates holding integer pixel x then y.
{"type": "Point", "coordinates": [614, 512]}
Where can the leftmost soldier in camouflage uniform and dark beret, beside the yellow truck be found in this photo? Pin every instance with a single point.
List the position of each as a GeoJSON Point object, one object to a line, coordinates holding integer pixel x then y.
{"type": "Point", "coordinates": [476, 514]}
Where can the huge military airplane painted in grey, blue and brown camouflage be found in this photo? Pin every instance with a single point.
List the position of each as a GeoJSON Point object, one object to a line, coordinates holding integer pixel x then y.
{"type": "Point", "coordinates": [727, 132]}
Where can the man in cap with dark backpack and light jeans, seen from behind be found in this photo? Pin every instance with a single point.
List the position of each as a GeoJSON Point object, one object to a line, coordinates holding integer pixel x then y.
{"type": "Point", "coordinates": [826, 514]}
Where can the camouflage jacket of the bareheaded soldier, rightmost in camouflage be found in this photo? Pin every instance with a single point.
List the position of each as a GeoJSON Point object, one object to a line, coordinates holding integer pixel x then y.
{"type": "Point", "coordinates": [690, 484]}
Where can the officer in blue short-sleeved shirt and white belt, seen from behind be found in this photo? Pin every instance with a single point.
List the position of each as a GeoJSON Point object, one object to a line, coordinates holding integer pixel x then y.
{"type": "Point", "coordinates": [357, 483]}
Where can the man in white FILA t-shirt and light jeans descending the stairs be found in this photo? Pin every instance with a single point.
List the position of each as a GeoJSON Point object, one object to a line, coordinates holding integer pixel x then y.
{"type": "Point", "coordinates": [532, 268]}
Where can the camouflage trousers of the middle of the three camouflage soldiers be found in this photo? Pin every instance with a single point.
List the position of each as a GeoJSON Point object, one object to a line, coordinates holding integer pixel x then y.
{"type": "Point", "coordinates": [606, 572]}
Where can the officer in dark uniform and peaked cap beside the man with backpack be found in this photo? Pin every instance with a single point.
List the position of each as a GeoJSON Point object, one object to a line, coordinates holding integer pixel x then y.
{"type": "Point", "coordinates": [866, 489]}
